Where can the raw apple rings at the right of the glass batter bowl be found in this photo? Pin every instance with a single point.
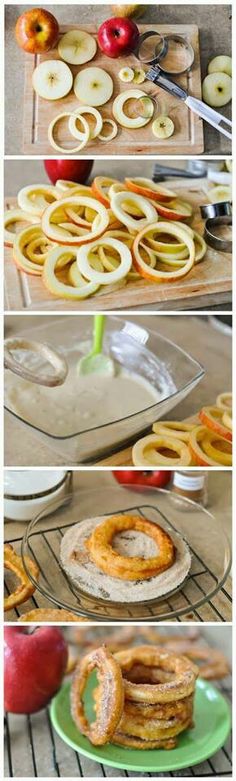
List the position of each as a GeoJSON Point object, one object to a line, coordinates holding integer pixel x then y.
{"type": "Point", "coordinates": [207, 442]}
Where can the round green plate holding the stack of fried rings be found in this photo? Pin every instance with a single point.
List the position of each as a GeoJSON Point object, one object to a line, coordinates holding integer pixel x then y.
{"type": "Point", "coordinates": [212, 720]}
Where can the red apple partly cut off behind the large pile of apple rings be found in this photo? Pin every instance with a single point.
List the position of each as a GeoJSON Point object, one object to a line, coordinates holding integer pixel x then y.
{"type": "Point", "coordinates": [71, 170]}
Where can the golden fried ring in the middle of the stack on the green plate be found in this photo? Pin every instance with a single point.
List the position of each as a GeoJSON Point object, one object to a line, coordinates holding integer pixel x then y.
{"type": "Point", "coordinates": [164, 711]}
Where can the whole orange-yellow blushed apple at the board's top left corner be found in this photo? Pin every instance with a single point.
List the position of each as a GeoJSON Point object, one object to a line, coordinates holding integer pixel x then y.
{"type": "Point", "coordinates": [36, 31]}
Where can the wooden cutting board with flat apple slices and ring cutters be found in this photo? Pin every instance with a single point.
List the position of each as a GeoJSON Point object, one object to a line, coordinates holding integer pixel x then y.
{"type": "Point", "coordinates": [188, 136]}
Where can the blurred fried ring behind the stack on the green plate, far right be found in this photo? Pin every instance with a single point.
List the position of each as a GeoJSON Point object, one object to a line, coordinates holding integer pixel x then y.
{"type": "Point", "coordinates": [215, 664]}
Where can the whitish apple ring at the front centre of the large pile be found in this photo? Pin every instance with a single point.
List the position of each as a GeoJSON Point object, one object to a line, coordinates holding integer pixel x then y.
{"type": "Point", "coordinates": [104, 278]}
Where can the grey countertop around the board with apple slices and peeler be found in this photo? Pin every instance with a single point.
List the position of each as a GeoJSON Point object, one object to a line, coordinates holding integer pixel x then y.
{"type": "Point", "coordinates": [214, 22]}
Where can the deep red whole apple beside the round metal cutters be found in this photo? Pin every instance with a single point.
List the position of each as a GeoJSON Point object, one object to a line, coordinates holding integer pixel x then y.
{"type": "Point", "coordinates": [118, 36]}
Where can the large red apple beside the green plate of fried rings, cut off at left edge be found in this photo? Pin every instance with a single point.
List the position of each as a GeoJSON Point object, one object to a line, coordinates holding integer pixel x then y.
{"type": "Point", "coordinates": [34, 665]}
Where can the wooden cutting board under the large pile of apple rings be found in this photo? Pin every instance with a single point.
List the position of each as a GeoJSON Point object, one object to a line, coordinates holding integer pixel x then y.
{"type": "Point", "coordinates": [207, 279]}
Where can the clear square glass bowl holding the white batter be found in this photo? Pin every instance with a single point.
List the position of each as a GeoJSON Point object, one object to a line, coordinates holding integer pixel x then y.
{"type": "Point", "coordinates": [145, 352]}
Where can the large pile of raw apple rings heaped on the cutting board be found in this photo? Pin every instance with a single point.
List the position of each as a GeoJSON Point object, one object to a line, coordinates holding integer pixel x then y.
{"type": "Point", "coordinates": [83, 239]}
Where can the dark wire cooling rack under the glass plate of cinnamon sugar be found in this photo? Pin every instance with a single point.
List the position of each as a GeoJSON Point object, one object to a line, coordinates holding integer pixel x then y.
{"type": "Point", "coordinates": [201, 597]}
